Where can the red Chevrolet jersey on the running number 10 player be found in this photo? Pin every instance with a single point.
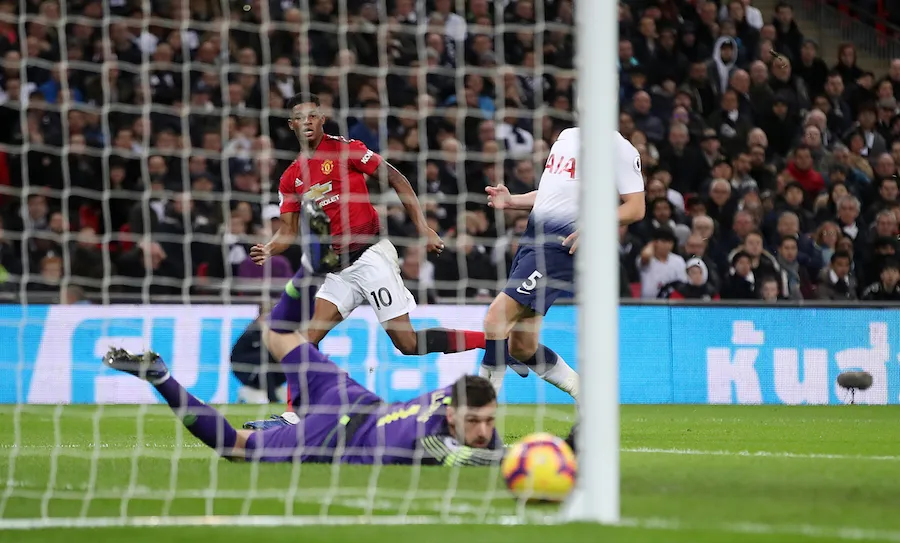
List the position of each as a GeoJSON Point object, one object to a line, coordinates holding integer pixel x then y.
{"type": "Point", "coordinates": [335, 177]}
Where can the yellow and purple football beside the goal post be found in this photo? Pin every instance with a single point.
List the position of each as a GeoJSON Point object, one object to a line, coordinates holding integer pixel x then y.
{"type": "Point", "coordinates": [540, 467]}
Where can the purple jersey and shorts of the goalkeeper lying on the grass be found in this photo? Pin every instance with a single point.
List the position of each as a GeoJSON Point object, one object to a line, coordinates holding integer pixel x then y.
{"type": "Point", "coordinates": [338, 417]}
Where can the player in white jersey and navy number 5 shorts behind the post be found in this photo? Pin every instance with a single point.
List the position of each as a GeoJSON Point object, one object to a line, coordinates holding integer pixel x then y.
{"type": "Point", "coordinates": [544, 265]}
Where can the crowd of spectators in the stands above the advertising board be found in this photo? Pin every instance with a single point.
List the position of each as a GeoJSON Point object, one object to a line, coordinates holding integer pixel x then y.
{"type": "Point", "coordinates": [153, 142]}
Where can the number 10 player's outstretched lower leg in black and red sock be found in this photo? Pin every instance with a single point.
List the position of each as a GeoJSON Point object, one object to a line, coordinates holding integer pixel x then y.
{"type": "Point", "coordinates": [431, 340]}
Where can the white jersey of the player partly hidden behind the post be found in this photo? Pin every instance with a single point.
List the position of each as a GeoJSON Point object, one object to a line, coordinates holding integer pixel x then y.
{"type": "Point", "coordinates": [557, 203]}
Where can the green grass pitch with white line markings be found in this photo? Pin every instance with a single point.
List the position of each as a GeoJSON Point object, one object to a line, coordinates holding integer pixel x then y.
{"type": "Point", "coordinates": [689, 473]}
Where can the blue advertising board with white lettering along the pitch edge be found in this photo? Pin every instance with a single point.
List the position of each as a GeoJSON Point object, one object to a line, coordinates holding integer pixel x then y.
{"type": "Point", "coordinates": [667, 354]}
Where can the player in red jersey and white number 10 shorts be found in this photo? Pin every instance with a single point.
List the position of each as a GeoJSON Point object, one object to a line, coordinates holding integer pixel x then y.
{"type": "Point", "coordinates": [331, 171]}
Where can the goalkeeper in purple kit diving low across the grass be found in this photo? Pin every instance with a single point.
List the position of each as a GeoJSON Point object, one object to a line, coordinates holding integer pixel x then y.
{"type": "Point", "coordinates": [337, 418]}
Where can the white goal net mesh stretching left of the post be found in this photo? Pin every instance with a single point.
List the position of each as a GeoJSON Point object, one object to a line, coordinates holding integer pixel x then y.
{"type": "Point", "coordinates": [140, 159]}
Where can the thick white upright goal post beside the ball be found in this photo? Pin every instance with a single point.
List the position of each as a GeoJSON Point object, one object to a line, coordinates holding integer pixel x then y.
{"type": "Point", "coordinates": [596, 497]}
